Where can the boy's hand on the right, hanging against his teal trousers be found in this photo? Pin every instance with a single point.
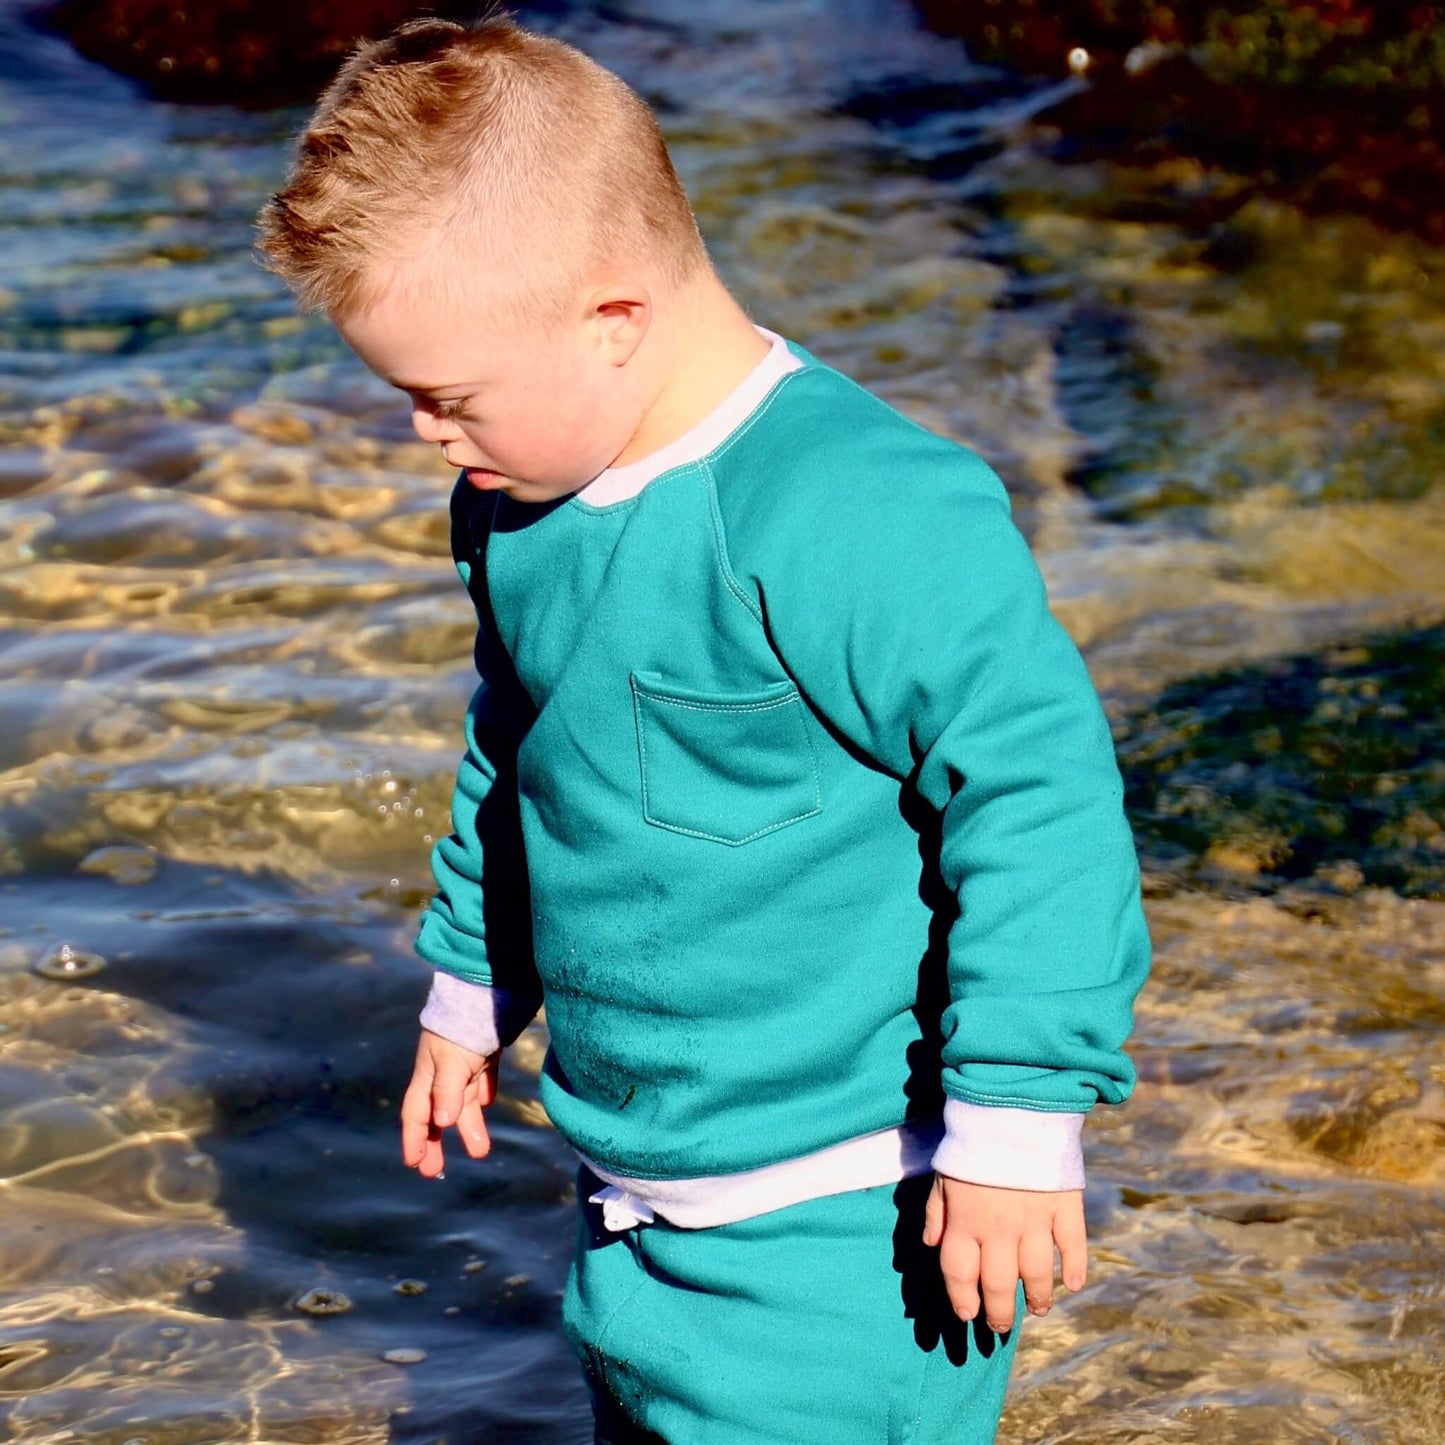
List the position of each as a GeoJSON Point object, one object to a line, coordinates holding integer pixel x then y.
{"type": "Point", "coordinates": [991, 1239]}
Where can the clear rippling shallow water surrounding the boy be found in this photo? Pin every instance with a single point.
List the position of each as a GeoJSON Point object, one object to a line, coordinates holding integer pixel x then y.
{"type": "Point", "coordinates": [235, 660]}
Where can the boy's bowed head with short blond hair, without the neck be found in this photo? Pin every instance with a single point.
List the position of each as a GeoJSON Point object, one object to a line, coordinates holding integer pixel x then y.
{"type": "Point", "coordinates": [489, 217]}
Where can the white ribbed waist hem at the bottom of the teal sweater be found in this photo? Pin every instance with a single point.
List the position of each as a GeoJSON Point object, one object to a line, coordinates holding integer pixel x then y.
{"type": "Point", "coordinates": [885, 1157]}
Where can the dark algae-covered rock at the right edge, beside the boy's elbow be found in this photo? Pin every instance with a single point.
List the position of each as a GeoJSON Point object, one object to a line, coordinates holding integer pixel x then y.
{"type": "Point", "coordinates": [1321, 768]}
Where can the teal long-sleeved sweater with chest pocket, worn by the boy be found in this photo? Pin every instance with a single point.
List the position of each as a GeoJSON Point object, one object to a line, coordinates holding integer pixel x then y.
{"type": "Point", "coordinates": [790, 798]}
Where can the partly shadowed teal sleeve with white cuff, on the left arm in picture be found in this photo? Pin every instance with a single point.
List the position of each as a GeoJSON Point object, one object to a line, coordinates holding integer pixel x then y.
{"type": "Point", "coordinates": [479, 927]}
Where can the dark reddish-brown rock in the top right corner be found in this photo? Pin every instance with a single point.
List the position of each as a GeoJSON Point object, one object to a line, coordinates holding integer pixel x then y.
{"type": "Point", "coordinates": [1336, 105]}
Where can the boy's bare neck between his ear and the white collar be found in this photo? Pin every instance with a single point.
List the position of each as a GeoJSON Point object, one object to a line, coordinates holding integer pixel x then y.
{"type": "Point", "coordinates": [702, 355]}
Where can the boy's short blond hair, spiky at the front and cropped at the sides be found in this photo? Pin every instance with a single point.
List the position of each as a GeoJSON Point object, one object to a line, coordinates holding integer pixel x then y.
{"type": "Point", "coordinates": [489, 142]}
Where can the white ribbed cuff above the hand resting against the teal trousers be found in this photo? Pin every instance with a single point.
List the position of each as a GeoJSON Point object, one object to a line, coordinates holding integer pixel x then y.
{"type": "Point", "coordinates": [1011, 1148]}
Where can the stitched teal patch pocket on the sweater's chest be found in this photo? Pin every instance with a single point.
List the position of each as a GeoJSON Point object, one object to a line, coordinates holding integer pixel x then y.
{"type": "Point", "coordinates": [725, 767]}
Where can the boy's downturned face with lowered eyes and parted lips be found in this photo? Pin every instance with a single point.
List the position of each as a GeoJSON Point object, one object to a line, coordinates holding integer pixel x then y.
{"type": "Point", "coordinates": [531, 410]}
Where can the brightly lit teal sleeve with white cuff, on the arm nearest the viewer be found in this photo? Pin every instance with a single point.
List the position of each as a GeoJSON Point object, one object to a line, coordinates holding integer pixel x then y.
{"type": "Point", "coordinates": [915, 622]}
